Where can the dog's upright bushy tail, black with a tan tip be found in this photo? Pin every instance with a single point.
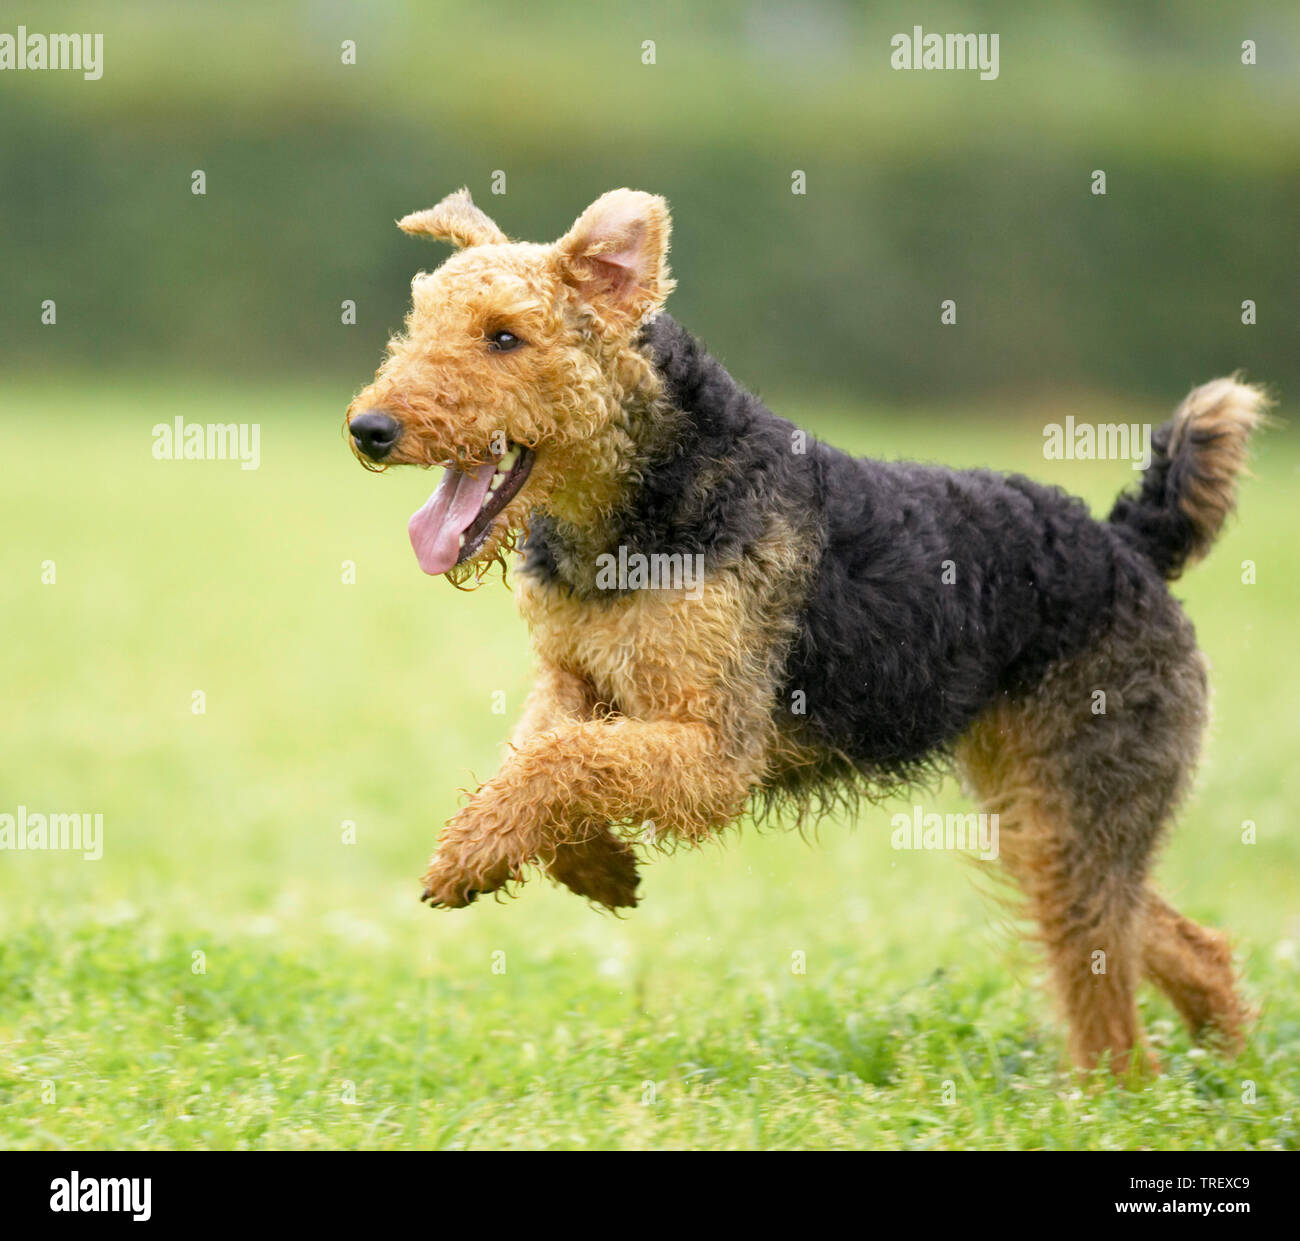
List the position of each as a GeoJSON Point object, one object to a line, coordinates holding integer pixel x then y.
{"type": "Point", "coordinates": [1190, 487]}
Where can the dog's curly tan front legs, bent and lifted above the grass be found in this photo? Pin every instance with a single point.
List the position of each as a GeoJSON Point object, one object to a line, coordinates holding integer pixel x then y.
{"type": "Point", "coordinates": [558, 787]}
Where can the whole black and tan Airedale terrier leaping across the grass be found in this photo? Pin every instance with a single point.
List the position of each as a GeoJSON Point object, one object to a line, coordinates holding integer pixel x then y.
{"type": "Point", "coordinates": [826, 652]}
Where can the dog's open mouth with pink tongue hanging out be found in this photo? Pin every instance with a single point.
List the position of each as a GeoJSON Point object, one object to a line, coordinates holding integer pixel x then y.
{"type": "Point", "coordinates": [458, 518]}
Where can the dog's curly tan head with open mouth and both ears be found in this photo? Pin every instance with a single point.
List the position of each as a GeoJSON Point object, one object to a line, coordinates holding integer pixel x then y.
{"type": "Point", "coordinates": [512, 372]}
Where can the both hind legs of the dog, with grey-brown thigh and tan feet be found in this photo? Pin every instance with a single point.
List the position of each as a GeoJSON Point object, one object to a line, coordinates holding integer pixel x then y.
{"type": "Point", "coordinates": [1085, 773]}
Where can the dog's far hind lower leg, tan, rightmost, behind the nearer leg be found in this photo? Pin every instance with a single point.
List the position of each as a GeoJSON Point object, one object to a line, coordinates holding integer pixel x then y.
{"type": "Point", "coordinates": [1194, 967]}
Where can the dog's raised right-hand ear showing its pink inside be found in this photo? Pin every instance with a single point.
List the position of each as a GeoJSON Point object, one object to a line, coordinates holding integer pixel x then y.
{"type": "Point", "coordinates": [617, 255]}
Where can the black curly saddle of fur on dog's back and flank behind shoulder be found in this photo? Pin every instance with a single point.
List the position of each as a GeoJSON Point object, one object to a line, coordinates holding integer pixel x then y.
{"type": "Point", "coordinates": [935, 591]}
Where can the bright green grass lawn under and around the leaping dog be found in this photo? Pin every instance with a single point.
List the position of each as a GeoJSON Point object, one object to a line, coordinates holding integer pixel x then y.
{"type": "Point", "coordinates": [333, 1010]}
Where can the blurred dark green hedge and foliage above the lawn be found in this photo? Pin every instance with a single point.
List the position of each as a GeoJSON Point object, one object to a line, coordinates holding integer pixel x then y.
{"type": "Point", "coordinates": [920, 186]}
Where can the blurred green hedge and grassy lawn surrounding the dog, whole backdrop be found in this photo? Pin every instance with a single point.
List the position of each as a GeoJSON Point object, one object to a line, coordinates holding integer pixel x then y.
{"type": "Point", "coordinates": [328, 1008]}
